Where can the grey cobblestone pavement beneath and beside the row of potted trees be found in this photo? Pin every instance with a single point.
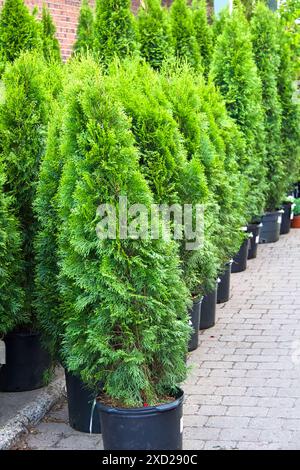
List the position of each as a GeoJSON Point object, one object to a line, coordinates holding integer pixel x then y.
{"type": "Point", "coordinates": [244, 388]}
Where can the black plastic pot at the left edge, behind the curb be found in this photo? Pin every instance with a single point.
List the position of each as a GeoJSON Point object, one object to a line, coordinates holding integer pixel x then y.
{"type": "Point", "coordinates": [26, 363]}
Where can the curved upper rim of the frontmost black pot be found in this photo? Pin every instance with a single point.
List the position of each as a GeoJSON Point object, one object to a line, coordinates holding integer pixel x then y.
{"type": "Point", "coordinates": [146, 410]}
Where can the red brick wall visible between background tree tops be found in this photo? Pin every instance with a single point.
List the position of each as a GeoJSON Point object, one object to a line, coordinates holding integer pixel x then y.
{"type": "Point", "coordinates": [65, 15]}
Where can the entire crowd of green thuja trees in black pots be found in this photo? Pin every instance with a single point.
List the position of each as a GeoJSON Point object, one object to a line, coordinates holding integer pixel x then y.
{"type": "Point", "coordinates": [116, 312]}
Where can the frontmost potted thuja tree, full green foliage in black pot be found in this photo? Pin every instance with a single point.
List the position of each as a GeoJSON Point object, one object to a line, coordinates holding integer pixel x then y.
{"type": "Point", "coordinates": [125, 304]}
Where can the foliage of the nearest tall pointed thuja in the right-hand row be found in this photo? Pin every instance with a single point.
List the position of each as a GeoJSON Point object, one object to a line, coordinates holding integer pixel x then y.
{"type": "Point", "coordinates": [234, 71]}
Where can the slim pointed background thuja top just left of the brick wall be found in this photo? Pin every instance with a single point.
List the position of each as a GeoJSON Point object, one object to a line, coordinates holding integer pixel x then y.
{"type": "Point", "coordinates": [51, 47]}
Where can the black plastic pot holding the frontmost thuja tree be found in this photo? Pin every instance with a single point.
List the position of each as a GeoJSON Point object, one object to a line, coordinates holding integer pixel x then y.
{"type": "Point", "coordinates": [150, 428]}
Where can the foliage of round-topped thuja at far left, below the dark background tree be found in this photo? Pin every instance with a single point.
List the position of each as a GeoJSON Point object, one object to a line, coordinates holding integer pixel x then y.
{"type": "Point", "coordinates": [23, 121]}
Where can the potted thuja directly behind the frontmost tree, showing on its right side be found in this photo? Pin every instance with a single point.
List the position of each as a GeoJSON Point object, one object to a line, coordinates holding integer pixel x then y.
{"type": "Point", "coordinates": [173, 178]}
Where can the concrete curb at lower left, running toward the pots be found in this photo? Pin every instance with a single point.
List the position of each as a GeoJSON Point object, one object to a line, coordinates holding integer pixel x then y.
{"type": "Point", "coordinates": [32, 413]}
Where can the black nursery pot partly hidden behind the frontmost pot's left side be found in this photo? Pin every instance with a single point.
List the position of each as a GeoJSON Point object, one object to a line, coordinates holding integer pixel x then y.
{"type": "Point", "coordinates": [83, 414]}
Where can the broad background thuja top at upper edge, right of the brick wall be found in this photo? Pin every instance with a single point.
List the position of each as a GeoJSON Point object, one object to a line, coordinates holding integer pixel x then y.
{"type": "Point", "coordinates": [114, 33]}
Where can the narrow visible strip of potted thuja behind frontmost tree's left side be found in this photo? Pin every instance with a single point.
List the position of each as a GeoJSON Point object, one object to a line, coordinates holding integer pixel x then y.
{"type": "Point", "coordinates": [48, 301]}
